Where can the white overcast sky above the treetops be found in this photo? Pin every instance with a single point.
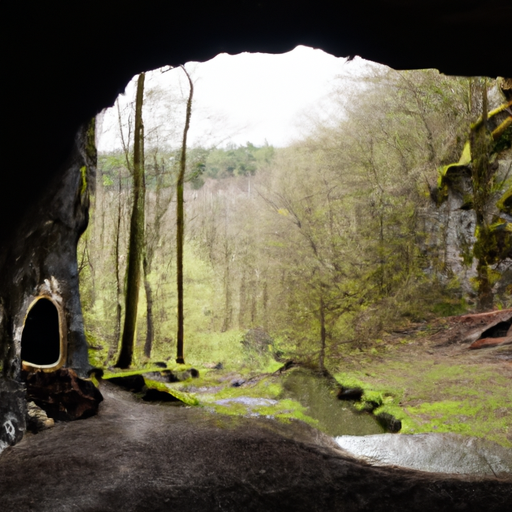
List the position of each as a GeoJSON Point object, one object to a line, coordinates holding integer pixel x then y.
{"type": "Point", "coordinates": [249, 97]}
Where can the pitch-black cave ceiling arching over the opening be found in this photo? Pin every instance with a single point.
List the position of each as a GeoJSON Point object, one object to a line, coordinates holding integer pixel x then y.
{"type": "Point", "coordinates": [64, 63]}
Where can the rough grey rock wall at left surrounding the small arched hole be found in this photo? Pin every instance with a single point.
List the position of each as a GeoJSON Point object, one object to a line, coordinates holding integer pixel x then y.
{"type": "Point", "coordinates": [41, 262]}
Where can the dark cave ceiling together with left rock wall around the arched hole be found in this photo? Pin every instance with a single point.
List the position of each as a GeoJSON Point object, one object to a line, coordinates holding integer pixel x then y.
{"type": "Point", "coordinates": [63, 63]}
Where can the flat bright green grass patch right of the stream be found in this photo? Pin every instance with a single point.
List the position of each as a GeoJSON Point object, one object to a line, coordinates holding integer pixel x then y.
{"type": "Point", "coordinates": [430, 397]}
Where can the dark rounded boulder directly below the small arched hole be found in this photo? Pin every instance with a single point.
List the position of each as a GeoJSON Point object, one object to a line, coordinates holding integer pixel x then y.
{"type": "Point", "coordinates": [63, 395]}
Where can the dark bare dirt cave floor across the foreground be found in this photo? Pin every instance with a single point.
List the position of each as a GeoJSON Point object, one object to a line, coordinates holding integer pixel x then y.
{"type": "Point", "coordinates": [135, 456]}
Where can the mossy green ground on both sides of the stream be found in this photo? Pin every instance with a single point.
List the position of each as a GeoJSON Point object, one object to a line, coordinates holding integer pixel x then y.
{"type": "Point", "coordinates": [428, 385]}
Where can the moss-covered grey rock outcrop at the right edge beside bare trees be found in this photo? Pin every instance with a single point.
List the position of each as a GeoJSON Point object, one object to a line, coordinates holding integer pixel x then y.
{"type": "Point", "coordinates": [453, 225]}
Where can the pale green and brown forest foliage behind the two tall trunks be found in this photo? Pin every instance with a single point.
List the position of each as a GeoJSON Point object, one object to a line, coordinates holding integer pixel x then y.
{"type": "Point", "coordinates": [324, 246]}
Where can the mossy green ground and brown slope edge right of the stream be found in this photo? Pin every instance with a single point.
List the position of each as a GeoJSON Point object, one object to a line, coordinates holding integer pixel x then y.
{"type": "Point", "coordinates": [436, 389]}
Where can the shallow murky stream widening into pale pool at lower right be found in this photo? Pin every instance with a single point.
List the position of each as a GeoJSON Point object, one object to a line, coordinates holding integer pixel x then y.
{"type": "Point", "coordinates": [361, 436]}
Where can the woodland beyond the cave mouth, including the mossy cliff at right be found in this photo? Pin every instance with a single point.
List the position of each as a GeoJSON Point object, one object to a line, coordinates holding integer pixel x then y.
{"type": "Point", "coordinates": [374, 221]}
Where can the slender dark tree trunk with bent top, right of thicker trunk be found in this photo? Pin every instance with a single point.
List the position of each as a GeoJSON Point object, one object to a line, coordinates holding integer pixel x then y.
{"type": "Point", "coordinates": [180, 226]}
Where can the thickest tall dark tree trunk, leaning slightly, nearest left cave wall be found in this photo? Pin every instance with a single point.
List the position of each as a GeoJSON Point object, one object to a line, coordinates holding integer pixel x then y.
{"type": "Point", "coordinates": [136, 236]}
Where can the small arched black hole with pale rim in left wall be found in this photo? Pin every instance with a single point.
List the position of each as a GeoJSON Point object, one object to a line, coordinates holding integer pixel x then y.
{"type": "Point", "coordinates": [42, 340]}
